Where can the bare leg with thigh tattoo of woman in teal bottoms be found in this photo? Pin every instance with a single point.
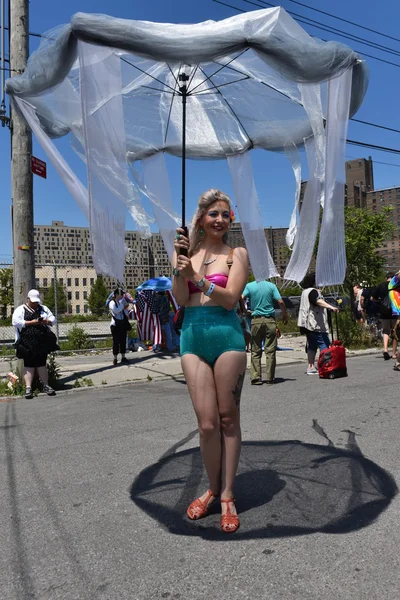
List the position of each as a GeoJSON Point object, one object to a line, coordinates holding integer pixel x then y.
{"type": "Point", "coordinates": [229, 372]}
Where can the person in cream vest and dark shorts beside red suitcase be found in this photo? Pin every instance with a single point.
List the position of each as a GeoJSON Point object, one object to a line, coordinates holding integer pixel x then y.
{"type": "Point", "coordinates": [313, 320]}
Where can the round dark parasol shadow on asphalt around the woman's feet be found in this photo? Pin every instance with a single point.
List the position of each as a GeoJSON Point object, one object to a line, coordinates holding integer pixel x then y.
{"type": "Point", "coordinates": [283, 488]}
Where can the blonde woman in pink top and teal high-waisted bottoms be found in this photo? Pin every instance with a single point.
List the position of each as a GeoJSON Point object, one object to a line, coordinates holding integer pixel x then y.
{"type": "Point", "coordinates": [209, 282]}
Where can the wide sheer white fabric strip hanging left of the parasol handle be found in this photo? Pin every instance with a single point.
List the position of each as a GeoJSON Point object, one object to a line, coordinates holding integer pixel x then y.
{"type": "Point", "coordinates": [108, 180]}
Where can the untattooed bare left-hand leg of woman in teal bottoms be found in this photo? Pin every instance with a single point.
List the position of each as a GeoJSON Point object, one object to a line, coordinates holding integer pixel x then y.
{"type": "Point", "coordinates": [200, 381]}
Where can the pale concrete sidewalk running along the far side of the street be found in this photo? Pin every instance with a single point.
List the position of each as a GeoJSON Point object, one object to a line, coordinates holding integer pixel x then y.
{"type": "Point", "coordinates": [96, 368]}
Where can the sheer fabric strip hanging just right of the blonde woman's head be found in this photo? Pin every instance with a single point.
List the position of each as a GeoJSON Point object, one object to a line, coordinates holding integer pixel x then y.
{"type": "Point", "coordinates": [250, 216]}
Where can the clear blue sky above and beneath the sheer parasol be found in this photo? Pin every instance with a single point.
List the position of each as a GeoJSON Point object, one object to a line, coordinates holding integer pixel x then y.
{"type": "Point", "coordinates": [273, 175]}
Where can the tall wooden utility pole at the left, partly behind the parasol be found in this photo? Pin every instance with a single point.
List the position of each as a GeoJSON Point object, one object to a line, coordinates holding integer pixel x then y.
{"type": "Point", "coordinates": [21, 150]}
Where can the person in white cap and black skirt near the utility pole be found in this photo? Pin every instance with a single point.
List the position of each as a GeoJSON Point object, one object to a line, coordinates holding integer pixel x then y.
{"type": "Point", "coordinates": [34, 340]}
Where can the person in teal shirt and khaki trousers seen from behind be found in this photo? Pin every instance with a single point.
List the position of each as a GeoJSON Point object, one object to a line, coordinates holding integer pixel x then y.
{"type": "Point", "coordinates": [262, 296]}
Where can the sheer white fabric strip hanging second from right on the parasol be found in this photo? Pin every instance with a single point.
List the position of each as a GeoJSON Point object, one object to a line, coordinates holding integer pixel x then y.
{"type": "Point", "coordinates": [308, 220]}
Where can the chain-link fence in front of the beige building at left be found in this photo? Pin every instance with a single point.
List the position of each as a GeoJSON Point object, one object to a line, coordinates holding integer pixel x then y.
{"type": "Point", "coordinates": [75, 295]}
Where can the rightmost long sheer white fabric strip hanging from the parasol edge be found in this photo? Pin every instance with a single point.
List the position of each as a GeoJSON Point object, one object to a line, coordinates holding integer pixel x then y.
{"type": "Point", "coordinates": [331, 257]}
